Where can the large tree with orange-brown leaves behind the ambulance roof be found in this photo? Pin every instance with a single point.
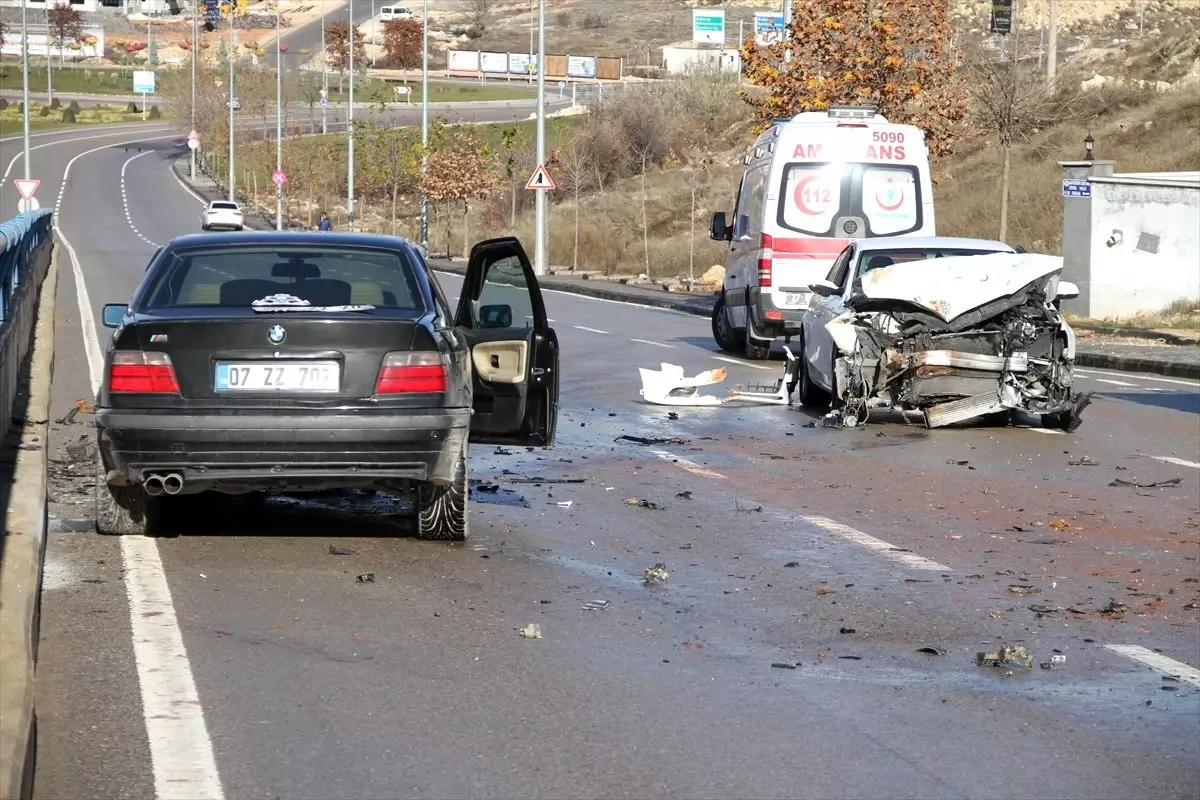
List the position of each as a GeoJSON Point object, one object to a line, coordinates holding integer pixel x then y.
{"type": "Point", "coordinates": [897, 56]}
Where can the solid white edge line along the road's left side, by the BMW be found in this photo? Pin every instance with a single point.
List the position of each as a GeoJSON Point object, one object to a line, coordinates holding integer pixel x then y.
{"type": "Point", "coordinates": [181, 748]}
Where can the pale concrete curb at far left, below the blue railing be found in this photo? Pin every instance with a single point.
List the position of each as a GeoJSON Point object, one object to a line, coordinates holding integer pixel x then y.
{"type": "Point", "coordinates": [25, 546]}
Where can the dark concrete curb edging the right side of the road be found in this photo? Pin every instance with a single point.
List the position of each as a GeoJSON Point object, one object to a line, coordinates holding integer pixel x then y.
{"type": "Point", "coordinates": [701, 306]}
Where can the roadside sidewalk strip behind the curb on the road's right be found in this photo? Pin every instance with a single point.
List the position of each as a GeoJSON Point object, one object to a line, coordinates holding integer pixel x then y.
{"type": "Point", "coordinates": [1129, 351]}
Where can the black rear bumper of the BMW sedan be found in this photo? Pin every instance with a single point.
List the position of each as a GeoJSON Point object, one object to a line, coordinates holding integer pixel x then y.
{"type": "Point", "coordinates": [279, 452]}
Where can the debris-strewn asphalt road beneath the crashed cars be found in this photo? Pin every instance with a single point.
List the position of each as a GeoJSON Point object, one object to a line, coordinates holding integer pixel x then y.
{"type": "Point", "coordinates": [243, 660]}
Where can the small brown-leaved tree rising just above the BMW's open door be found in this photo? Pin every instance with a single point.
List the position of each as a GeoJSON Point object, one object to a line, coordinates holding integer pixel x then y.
{"type": "Point", "coordinates": [458, 172]}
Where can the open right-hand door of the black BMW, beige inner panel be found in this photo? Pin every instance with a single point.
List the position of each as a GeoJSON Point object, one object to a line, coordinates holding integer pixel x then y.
{"type": "Point", "coordinates": [514, 352]}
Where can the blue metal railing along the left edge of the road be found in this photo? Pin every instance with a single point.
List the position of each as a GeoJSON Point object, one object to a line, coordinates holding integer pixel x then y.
{"type": "Point", "coordinates": [26, 245]}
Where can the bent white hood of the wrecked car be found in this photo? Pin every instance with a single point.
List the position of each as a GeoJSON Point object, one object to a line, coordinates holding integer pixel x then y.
{"type": "Point", "coordinates": [951, 287]}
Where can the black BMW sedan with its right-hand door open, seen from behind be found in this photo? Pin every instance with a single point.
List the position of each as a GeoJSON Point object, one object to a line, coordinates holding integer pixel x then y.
{"type": "Point", "coordinates": [301, 362]}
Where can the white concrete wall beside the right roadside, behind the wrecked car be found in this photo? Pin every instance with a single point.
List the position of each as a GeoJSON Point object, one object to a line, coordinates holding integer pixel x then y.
{"type": "Point", "coordinates": [1145, 243]}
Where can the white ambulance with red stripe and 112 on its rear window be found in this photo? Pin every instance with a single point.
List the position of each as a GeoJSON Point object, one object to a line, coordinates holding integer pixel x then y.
{"type": "Point", "coordinates": [811, 185]}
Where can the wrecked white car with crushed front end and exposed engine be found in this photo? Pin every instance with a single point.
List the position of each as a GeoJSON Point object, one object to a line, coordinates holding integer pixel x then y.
{"type": "Point", "coordinates": [956, 329]}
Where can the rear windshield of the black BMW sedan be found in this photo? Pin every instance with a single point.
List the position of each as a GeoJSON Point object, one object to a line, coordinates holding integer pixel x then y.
{"type": "Point", "coordinates": [236, 276]}
